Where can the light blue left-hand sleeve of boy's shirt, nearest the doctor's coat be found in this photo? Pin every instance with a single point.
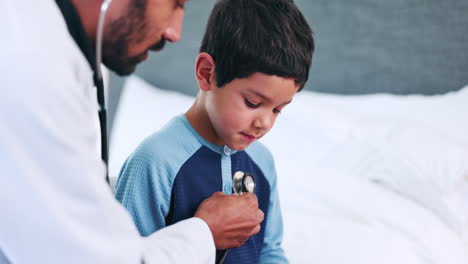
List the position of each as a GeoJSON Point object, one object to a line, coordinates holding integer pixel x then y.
{"type": "Point", "coordinates": [145, 182]}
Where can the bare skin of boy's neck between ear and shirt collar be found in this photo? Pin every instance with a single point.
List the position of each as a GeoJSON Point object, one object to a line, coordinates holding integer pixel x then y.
{"type": "Point", "coordinates": [199, 120]}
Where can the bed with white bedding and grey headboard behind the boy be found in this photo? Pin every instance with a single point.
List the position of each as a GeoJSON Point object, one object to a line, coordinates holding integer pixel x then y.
{"type": "Point", "coordinates": [372, 156]}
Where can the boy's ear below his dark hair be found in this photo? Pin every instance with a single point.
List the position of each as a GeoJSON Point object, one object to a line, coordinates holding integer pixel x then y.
{"type": "Point", "coordinates": [204, 70]}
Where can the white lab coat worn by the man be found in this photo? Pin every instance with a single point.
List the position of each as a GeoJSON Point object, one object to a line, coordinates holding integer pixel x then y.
{"type": "Point", "coordinates": [55, 205]}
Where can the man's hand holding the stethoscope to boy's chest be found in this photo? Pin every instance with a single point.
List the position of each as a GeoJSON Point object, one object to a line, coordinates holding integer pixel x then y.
{"type": "Point", "coordinates": [232, 218]}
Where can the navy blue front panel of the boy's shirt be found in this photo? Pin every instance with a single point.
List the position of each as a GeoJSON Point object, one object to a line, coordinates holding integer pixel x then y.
{"type": "Point", "coordinates": [199, 177]}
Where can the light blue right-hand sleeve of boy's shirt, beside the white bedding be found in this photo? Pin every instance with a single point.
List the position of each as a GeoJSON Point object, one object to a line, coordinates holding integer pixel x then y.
{"type": "Point", "coordinates": [272, 251]}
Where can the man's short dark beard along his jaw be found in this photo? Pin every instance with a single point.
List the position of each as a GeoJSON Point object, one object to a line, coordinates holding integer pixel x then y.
{"type": "Point", "coordinates": [122, 33]}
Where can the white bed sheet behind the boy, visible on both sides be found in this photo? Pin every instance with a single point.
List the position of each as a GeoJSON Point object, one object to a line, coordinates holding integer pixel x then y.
{"type": "Point", "coordinates": [362, 179]}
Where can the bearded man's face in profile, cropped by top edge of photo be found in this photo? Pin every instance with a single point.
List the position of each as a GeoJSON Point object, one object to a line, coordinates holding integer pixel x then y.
{"type": "Point", "coordinates": [145, 25]}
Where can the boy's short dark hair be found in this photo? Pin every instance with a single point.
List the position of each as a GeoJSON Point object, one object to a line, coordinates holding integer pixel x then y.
{"type": "Point", "coordinates": [267, 36]}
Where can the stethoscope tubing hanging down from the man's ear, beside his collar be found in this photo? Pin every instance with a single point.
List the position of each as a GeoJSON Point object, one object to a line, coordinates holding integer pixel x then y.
{"type": "Point", "coordinates": [99, 82]}
